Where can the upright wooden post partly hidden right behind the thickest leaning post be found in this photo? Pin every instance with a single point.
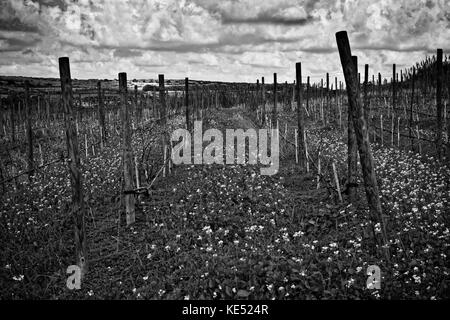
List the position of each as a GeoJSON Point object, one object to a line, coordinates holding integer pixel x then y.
{"type": "Point", "coordinates": [352, 147]}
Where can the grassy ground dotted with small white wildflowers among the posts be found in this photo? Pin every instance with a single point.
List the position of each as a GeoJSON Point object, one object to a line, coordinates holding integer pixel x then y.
{"type": "Point", "coordinates": [226, 232]}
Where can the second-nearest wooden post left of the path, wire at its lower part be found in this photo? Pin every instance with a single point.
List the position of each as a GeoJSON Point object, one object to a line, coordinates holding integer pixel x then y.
{"type": "Point", "coordinates": [127, 151]}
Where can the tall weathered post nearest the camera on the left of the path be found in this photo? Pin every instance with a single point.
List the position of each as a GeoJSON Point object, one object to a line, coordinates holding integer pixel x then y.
{"type": "Point", "coordinates": [78, 209]}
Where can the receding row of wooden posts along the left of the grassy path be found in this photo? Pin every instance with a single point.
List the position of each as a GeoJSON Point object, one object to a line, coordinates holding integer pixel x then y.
{"type": "Point", "coordinates": [128, 159]}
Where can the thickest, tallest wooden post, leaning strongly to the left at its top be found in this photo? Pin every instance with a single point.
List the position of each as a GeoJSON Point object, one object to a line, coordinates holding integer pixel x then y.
{"type": "Point", "coordinates": [365, 152]}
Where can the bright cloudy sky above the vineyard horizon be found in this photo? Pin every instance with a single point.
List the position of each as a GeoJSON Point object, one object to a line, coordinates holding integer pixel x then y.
{"type": "Point", "coordinates": [228, 40]}
